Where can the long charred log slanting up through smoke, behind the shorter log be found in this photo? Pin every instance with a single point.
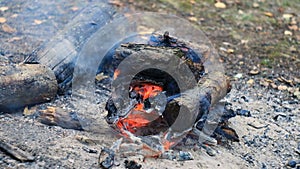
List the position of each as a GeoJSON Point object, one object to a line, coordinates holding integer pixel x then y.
{"type": "Point", "coordinates": [60, 53]}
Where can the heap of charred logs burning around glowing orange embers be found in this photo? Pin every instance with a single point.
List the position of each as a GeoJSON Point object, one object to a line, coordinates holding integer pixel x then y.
{"type": "Point", "coordinates": [145, 115]}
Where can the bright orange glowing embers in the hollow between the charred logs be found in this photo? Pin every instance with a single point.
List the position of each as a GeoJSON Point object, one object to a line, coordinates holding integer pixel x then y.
{"type": "Point", "coordinates": [138, 117]}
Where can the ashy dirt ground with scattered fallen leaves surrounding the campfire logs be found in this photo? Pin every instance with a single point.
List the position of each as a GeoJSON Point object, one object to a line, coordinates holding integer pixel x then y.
{"type": "Point", "coordinates": [258, 41]}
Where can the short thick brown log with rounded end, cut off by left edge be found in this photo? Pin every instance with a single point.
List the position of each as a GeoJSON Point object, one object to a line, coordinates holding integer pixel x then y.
{"type": "Point", "coordinates": [25, 84]}
